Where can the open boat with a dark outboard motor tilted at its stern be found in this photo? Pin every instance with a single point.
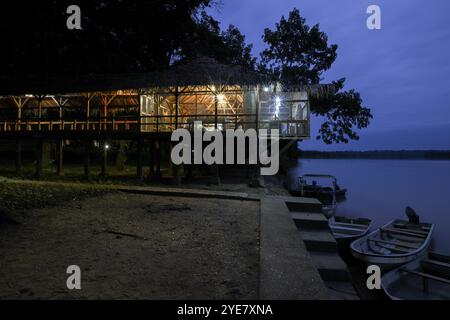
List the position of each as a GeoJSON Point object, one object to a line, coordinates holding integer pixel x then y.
{"type": "Point", "coordinates": [394, 244]}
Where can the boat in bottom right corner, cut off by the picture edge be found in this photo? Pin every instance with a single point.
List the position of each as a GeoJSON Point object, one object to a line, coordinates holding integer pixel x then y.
{"type": "Point", "coordinates": [427, 278]}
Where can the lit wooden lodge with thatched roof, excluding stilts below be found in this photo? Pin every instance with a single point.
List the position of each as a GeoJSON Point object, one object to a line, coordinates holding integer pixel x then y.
{"type": "Point", "coordinates": [220, 96]}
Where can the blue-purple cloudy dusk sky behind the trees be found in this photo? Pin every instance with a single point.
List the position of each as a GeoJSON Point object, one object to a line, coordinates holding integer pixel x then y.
{"type": "Point", "coordinates": [402, 71]}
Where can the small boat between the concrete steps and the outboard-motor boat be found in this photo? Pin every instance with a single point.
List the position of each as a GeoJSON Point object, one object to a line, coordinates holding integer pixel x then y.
{"type": "Point", "coordinates": [346, 230]}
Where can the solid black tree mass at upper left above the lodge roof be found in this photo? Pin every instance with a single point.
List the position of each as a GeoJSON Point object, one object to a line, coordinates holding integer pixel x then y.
{"type": "Point", "coordinates": [117, 36]}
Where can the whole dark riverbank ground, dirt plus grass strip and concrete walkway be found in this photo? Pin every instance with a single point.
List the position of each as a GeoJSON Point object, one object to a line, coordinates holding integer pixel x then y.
{"type": "Point", "coordinates": [152, 243]}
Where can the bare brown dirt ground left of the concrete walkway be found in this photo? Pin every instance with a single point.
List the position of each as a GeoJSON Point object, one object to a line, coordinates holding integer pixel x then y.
{"type": "Point", "coordinates": [133, 247]}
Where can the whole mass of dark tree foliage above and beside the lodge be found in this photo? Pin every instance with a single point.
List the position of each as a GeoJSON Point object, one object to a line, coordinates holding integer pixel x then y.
{"type": "Point", "coordinates": [130, 36]}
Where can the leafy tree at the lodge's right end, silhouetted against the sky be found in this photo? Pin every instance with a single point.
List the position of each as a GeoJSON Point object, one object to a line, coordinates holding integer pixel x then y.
{"type": "Point", "coordinates": [299, 54]}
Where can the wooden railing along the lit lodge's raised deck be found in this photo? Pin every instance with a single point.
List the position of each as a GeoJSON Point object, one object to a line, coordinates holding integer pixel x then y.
{"type": "Point", "coordinates": [162, 123]}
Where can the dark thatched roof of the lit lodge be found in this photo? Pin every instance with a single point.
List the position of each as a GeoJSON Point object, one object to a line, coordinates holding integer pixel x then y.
{"type": "Point", "coordinates": [201, 71]}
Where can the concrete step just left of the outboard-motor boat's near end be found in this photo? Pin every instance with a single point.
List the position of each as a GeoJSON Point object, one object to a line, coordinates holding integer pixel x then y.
{"type": "Point", "coordinates": [330, 266]}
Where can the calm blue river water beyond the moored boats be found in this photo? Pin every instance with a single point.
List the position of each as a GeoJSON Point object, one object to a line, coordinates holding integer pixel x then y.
{"type": "Point", "coordinates": [381, 189]}
